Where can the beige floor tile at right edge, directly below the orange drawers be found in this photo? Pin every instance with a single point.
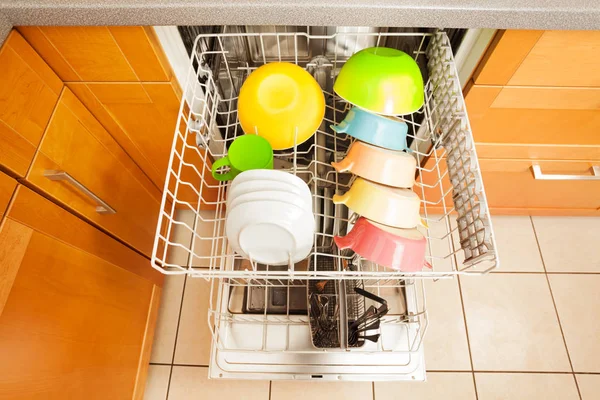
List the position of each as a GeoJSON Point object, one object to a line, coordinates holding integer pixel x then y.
{"type": "Point", "coordinates": [569, 244]}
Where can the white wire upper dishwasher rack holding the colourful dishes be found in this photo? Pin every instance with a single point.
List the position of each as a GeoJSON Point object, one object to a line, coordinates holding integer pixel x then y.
{"type": "Point", "coordinates": [460, 235]}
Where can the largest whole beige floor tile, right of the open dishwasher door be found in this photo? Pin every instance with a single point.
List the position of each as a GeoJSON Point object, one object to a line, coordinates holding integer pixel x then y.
{"type": "Point", "coordinates": [512, 323]}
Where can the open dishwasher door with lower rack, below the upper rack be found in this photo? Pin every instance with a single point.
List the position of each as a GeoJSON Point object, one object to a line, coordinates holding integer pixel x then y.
{"type": "Point", "coordinates": [262, 330]}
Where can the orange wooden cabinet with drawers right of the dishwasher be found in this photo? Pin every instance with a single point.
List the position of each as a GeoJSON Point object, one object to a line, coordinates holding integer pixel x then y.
{"type": "Point", "coordinates": [535, 99]}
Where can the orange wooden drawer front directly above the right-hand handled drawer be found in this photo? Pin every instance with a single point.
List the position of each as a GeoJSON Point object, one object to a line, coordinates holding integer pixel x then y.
{"type": "Point", "coordinates": [537, 123]}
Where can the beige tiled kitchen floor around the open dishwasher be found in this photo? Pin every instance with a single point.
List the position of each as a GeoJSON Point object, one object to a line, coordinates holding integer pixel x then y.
{"type": "Point", "coordinates": [529, 331]}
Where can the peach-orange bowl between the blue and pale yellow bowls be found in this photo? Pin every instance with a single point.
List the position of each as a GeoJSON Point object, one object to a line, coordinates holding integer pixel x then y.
{"type": "Point", "coordinates": [389, 167]}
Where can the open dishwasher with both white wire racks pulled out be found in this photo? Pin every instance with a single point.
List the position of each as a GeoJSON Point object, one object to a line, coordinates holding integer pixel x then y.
{"type": "Point", "coordinates": [260, 316]}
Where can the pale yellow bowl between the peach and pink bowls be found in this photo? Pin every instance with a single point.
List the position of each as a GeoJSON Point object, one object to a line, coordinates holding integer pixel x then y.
{"type": "Point", "coordinates": [384, 204]}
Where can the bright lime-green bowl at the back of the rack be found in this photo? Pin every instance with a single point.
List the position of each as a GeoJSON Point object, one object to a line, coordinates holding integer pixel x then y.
{"type": "Point", "coordinates": [381, 80]}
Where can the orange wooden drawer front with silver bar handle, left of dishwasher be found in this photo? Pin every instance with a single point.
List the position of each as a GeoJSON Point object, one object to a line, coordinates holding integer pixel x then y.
{"type": "Point", "coordinates": [77, 144]}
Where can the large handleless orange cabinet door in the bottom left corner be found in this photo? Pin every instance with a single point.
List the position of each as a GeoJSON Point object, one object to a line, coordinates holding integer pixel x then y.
{"type": "Point", "coordinates": [77, 308]}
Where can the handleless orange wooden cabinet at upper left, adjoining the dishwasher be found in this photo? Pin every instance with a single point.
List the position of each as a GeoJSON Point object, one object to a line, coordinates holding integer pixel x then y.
{"type": "Point", "coordinates": [123, 78]}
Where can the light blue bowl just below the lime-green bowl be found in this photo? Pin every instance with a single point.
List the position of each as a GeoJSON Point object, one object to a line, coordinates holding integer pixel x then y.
{"type": "Point", "coordinates": [375, 129]}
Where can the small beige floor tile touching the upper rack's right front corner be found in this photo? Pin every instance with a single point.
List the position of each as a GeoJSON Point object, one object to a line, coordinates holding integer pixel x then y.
{"type": "Point", "coordinates": [517, 246]}
